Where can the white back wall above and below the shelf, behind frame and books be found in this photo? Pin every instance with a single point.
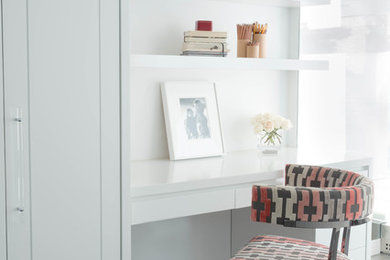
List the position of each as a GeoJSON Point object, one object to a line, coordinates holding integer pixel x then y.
{"type": "Point", "coordinates": [157, 28]}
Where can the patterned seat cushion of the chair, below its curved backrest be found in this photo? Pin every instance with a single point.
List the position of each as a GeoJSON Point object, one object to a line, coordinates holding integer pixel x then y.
{"type": "Point", "coordinates": [284, 248]}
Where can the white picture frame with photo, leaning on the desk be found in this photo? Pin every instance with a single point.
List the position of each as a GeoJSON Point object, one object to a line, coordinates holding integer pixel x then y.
{"type": "Point", "coordinates": [192, 119]}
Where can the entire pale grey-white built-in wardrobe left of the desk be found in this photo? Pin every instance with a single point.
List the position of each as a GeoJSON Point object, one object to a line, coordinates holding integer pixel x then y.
{"type": "Point", "coordinates": [60, 183]}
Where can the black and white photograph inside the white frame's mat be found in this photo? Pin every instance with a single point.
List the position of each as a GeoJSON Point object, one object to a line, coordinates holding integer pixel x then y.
{"type": "Point", "coordinates": [196, 121]}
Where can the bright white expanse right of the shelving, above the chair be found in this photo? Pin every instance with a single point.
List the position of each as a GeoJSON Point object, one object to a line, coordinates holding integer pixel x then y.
{"type": "Point", "coordinates": [350, 104]}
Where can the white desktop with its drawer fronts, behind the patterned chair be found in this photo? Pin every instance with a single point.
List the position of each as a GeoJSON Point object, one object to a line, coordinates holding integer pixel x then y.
{"type": "Point", "coordinates": [164, 185]}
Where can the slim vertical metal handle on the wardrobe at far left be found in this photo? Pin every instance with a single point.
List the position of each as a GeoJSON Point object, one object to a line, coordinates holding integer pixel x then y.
{"type": "Point", "coordinates": [19, 159]}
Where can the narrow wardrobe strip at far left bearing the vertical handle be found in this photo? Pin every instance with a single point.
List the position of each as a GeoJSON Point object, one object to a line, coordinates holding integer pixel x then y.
{"type": "Point", "coordinates": [16, 122]}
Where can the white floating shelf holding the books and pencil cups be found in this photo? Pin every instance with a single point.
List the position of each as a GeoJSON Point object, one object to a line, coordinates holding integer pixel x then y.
{"type": "Point", "coordinates": [191, 62]}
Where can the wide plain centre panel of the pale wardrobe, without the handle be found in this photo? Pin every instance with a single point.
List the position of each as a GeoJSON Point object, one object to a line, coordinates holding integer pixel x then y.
{"type": "Point", "coordinates": [65, 129]}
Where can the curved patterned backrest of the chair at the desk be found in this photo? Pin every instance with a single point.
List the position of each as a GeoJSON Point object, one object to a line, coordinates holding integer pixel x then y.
{"type": "Point", "coordinates": [314, 194]}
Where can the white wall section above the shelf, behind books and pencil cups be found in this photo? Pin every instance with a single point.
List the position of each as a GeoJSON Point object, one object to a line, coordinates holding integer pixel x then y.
{"type": "Point", "coordinates": [158, 26]}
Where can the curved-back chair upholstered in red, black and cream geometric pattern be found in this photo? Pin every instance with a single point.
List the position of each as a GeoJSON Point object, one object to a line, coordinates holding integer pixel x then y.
{"type": "Point", "coordinates": [314, 197]}
